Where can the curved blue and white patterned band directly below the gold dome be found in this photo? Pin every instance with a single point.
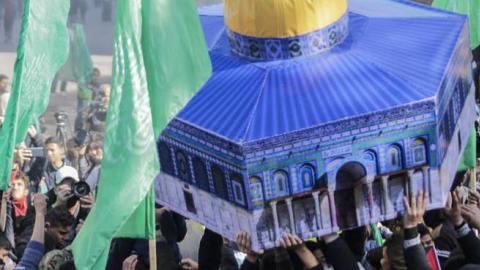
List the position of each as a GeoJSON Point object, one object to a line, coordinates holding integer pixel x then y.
{"type": "Point", "coordinates": [269, 49]}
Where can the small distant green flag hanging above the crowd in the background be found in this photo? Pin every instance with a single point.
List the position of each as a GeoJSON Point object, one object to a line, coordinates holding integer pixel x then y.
{"type": "Point", "coordinates": [79, 66]}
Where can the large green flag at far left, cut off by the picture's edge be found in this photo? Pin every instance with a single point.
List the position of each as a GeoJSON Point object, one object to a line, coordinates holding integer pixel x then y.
{"type": "Point", "coordinates": [42, 50]}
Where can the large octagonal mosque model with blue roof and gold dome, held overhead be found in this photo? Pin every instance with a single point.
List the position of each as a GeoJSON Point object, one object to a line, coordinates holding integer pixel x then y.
{"type": "Point", "coordinates": [319, 116]}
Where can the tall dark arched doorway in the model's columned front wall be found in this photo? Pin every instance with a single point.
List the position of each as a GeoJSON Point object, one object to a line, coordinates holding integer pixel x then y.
{"type": "Point", "coordinates": [345, 198]}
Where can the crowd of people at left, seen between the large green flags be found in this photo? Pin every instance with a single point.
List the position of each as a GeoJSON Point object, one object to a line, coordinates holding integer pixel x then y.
{"type": "Point", "coordinates": [53, 184]}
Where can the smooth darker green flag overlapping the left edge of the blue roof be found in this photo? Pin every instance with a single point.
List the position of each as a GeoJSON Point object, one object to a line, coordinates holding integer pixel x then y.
{"type": "Point", "coordinates": [178, 43]}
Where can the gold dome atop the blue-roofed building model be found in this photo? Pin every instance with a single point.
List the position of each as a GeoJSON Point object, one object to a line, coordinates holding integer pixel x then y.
{"type": "Point", "coordinates": [281, 18]}
